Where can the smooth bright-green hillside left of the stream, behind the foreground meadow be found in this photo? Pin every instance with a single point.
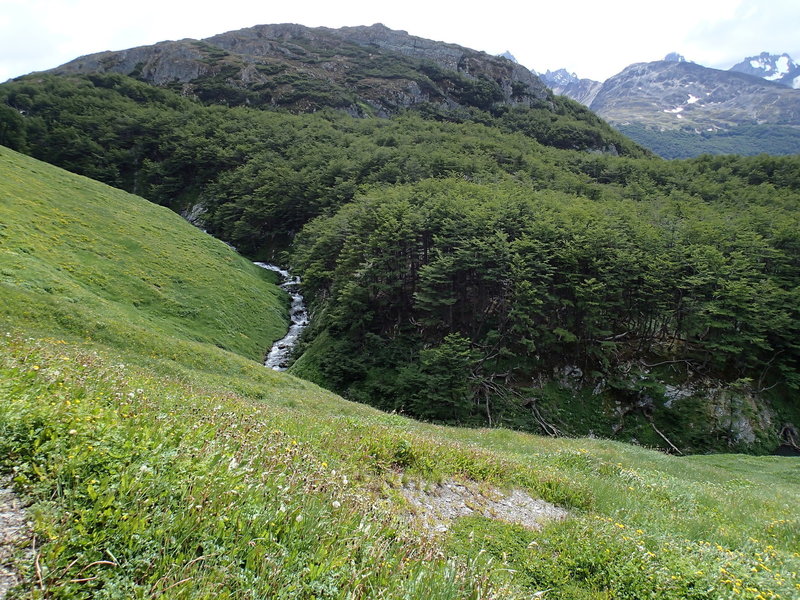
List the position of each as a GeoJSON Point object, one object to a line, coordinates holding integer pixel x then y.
{"type": "Point", "coordinates": [97, 263]}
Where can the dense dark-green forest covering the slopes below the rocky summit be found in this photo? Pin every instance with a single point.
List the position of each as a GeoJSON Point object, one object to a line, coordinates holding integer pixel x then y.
{"type": "Point", "coordinates": [479, 266]}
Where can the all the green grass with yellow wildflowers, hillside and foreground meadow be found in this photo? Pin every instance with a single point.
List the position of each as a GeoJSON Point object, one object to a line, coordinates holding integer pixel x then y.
{"type": "Point", "coordinates": [161, 460]}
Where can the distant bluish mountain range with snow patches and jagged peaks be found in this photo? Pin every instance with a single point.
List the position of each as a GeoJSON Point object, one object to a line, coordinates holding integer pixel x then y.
{"type": "Point", "coordinates": [678, 108]}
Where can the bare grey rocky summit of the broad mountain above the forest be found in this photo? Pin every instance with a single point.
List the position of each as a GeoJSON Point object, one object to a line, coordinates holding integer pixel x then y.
{"type": "Point", "coordinates": [365, 70]}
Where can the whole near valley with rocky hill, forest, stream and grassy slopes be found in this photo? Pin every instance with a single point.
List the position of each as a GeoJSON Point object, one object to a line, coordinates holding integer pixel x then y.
{"type": "Point", "coordinates": [532, 358]}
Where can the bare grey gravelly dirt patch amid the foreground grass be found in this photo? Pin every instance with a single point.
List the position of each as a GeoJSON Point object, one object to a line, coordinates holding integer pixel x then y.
{"type": "Point", "coordinates": [435, 506]}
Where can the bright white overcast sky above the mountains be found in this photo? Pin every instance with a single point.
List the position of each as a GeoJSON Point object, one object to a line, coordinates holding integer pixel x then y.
{"type": "Point", "coordinates": [594, 38]}
